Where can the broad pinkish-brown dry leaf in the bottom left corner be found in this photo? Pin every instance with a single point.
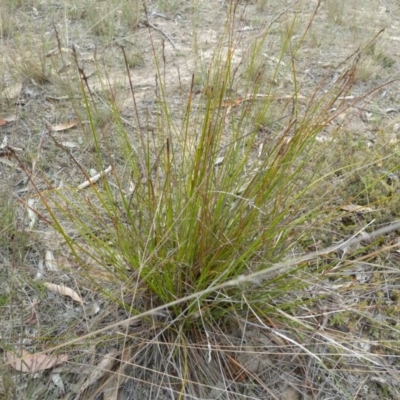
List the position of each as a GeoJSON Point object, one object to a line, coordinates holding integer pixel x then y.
{"type": "Point", "coordinates": [34, 362]}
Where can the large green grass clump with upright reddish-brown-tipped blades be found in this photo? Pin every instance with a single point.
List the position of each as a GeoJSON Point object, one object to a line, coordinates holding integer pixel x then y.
{"type": "Point", "coordinates": [208, 200]}
